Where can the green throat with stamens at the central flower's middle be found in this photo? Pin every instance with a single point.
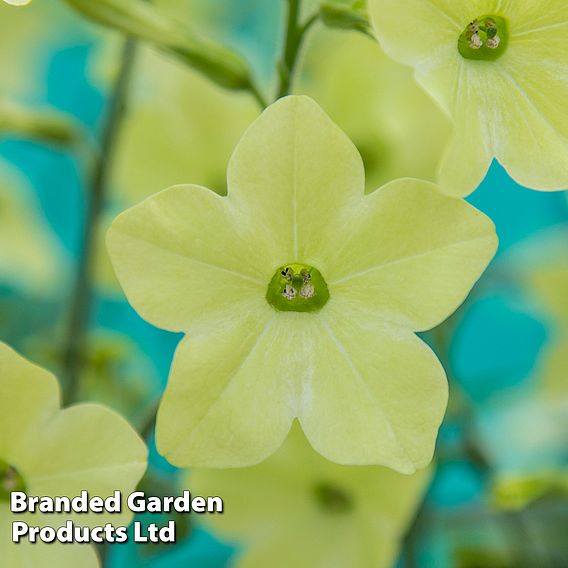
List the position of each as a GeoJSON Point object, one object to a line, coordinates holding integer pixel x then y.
{"type": "Point", "coordinates": [297, 288]}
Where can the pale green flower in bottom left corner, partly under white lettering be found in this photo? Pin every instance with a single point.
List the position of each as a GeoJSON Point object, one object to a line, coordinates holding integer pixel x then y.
{"type": "Point", "coordinates": [48, 451]}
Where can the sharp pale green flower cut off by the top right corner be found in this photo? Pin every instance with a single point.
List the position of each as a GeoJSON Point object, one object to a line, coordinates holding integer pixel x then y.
{"type": "Point", "coordinates": [497, 67]}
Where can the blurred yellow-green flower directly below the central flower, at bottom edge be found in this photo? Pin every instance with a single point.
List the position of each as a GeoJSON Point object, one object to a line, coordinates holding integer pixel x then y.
{"type": "Point", "coordinates": [298, 509]}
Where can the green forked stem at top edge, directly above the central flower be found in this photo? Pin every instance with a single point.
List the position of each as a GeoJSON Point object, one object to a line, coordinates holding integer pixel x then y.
{"type": "Point", "coordinates": [295, 34]}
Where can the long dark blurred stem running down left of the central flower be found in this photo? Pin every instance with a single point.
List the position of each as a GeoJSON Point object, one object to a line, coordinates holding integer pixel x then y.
{"type": "Point", "coordinates": [75, 340]}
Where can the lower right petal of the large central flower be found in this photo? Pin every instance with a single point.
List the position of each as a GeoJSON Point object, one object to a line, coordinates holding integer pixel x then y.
{"type": "Point", "coordinates": [377, 393]}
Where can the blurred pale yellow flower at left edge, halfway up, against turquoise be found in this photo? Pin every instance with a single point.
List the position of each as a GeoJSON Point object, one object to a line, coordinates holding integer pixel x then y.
{"type": "Point", "coordinates": [30, 256]}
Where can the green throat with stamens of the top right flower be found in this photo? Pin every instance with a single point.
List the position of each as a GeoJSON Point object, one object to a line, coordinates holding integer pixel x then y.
{"type": "Point", "coordinates": [485, 39]}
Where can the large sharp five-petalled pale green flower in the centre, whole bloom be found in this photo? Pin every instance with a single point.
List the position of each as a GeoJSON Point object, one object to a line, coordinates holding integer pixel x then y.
{"type": "Point", "coordinates": [300, 296]}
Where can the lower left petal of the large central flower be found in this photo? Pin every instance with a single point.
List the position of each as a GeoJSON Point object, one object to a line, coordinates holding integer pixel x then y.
{"type": "Point", "coordinates": [231, 395]}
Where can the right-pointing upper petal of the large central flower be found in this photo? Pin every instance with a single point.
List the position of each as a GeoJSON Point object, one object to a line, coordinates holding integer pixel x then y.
{"type": "Point", "coordinates": [410, 254]}
